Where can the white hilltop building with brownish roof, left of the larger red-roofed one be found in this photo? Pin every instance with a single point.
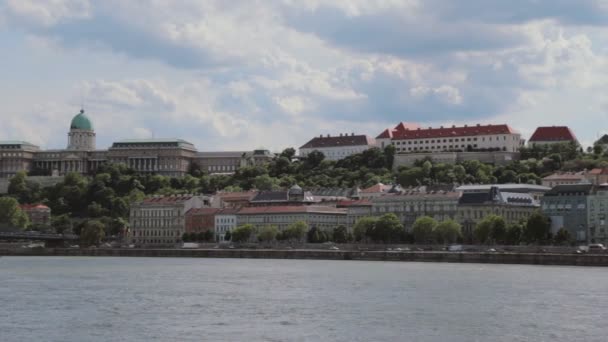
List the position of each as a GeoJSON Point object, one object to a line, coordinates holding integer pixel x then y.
{"type": "Point", "coordinates": [338, 147]}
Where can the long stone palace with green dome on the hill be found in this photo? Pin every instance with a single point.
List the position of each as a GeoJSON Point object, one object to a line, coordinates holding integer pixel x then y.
{"type": "Point", "coordinates": [167, 157]}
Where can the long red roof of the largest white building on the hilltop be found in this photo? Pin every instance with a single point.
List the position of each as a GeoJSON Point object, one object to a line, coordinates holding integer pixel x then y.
{"type": "Point", "coordinates": [453, 131]}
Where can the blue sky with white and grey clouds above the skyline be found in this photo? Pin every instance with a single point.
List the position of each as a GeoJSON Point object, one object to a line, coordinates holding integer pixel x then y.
{"type": "Point", "coordinates": [245, 74]}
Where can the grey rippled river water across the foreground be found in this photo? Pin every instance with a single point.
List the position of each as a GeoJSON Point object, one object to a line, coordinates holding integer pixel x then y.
{"type": "Point", "coordinates": [166, 299]}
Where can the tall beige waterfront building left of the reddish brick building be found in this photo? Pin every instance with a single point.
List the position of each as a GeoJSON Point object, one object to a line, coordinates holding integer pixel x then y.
{"type": "Point", "coordinates": [160, 220]}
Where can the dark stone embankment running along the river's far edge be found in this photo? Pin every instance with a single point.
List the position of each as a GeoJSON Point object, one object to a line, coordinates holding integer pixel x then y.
{"type": "Point", "coordinates": [435, 256]}
